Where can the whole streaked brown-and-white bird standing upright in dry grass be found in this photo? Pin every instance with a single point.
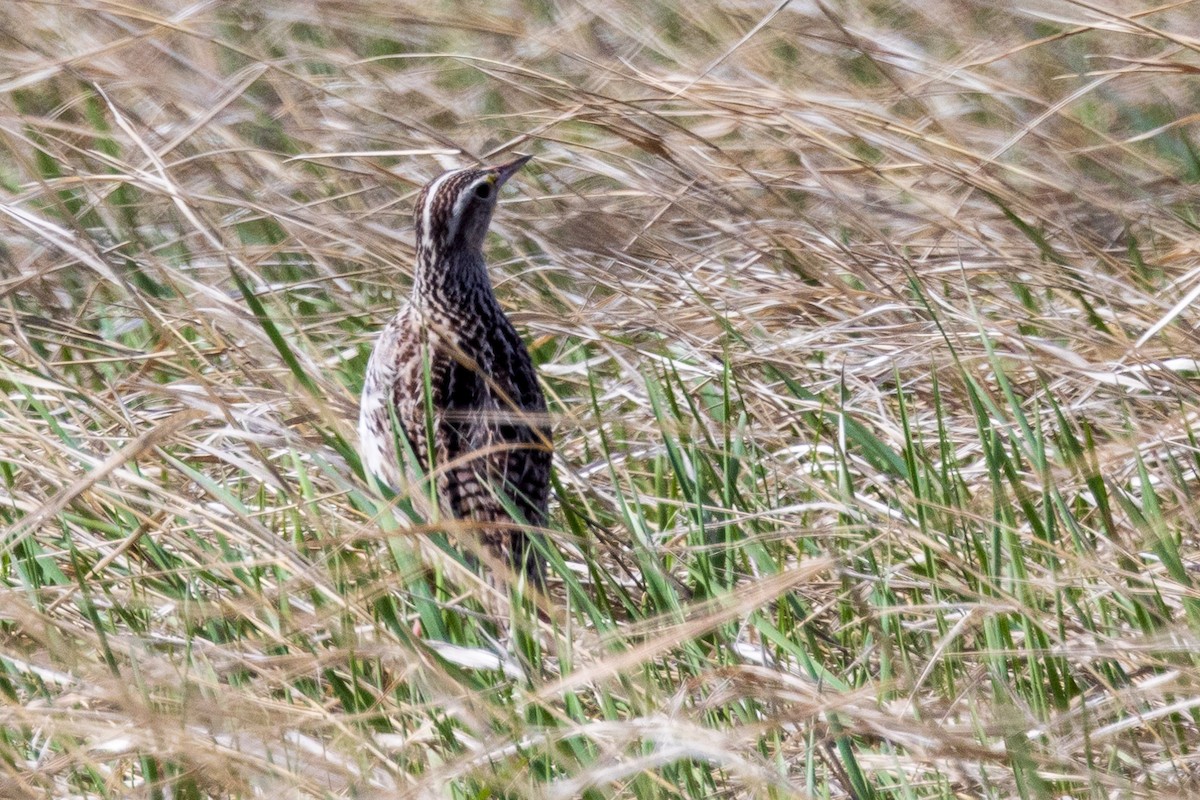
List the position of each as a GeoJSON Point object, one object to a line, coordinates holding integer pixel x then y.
{"type": "Point", "coordinates": [452, 383]}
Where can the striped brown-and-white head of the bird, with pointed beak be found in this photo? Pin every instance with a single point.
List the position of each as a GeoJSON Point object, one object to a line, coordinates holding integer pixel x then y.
{"type": "Point", "coordinates": [454, 210]}
